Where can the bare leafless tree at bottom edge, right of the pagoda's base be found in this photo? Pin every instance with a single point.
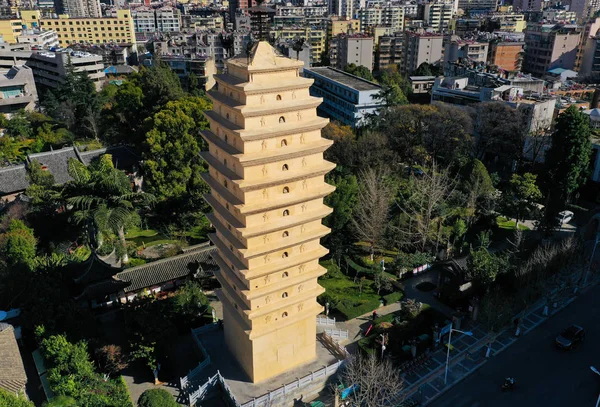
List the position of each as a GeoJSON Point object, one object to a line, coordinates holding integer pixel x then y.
{"type": "Point", "coordinates": [377, 383]}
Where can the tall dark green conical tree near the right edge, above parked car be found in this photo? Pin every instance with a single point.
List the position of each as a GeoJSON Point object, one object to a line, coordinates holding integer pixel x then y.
{"type": "Point", "coordinates": [568, 160]}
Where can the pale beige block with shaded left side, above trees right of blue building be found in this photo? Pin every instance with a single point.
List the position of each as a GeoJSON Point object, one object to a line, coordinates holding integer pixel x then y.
{"type": "Point", "coordinates": [421, 47]}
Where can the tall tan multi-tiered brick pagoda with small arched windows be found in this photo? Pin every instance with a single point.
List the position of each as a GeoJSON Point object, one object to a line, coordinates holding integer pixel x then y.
{"type": "Point", "coordinates": [267, 180]}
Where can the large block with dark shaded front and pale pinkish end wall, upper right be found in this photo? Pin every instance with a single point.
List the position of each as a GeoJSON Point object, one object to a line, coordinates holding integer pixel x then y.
{"type": "Point", "coordinates": [551, 46]}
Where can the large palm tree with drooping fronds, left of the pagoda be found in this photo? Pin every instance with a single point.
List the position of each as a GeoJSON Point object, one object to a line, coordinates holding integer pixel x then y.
{"type": "Point", "coordinates": [102, 198]}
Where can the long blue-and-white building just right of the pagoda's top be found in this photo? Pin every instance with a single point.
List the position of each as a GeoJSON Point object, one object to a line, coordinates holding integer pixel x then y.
{"type": "Point", "coordinates": [346, 98]}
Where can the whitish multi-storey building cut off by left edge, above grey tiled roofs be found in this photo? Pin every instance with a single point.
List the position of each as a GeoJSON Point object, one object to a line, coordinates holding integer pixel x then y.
{"type": "Point", "coordinates": [17, 90]}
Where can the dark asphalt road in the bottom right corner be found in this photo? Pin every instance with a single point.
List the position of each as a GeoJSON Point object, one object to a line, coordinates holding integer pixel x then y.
{"type": "Point", "coordinates": [546, 376]}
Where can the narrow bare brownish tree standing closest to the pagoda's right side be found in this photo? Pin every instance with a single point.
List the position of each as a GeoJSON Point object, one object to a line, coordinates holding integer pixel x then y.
{"type": "Point", "coordinates": [374, 198]}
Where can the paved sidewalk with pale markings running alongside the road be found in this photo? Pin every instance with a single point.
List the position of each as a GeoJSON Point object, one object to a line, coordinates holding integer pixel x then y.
{"type": "Point", "coordinates": [427, 384]}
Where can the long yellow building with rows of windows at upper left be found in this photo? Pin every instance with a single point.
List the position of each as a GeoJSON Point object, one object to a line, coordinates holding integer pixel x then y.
{"type": "Point", "coordinates": [103, 30]}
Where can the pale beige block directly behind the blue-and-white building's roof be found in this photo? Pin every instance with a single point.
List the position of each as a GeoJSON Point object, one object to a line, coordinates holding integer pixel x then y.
{"type": "Point", "coordinates": [354, 49]}
